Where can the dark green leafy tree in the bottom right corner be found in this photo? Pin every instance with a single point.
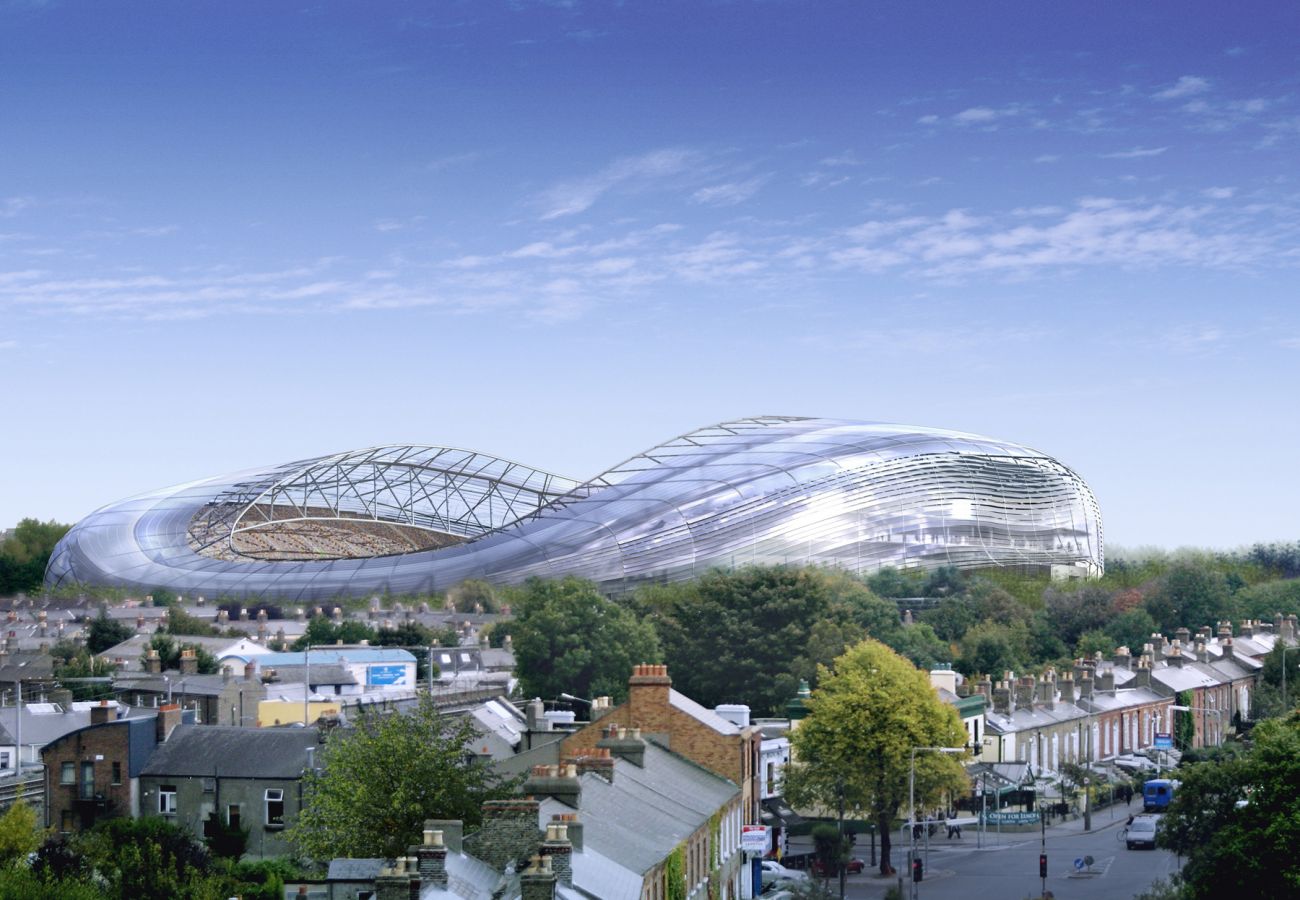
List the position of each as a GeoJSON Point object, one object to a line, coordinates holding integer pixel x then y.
{"type": "Point", "coordinates": [1246, 851]}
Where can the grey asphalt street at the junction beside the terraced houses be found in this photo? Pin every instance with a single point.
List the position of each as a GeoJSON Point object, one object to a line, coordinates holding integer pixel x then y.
{"type": "Point", "coordinates": [1008, 867]}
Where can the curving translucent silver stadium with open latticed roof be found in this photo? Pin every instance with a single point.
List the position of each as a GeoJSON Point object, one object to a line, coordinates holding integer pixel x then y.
{"type": "Point", "coordinates": [766, 491]}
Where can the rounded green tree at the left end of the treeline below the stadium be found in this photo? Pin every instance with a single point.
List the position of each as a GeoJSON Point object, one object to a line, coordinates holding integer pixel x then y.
{"type": "Point", "coordinates": [570, 639]}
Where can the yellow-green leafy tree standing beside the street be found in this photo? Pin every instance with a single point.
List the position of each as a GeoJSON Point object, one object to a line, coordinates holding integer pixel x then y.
{"type": "Point", "coordinates": [865, 719]}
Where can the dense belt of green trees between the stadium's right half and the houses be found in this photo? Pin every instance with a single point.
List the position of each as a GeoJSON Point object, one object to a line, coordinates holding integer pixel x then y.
{"type": "Point", "coordinates": [753, 635]}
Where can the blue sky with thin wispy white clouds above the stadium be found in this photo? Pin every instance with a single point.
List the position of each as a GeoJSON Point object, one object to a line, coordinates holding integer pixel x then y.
{"type": "Point", "coordinates": [244, 233]}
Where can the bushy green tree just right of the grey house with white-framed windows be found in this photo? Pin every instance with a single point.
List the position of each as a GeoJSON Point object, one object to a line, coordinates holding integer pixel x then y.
{"type": "Point", "coordinates": [380, 781]}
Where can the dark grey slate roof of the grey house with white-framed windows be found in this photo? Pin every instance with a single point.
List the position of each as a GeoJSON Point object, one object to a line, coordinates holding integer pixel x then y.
{"type": "Point", "coordinates": [233, 752]}
